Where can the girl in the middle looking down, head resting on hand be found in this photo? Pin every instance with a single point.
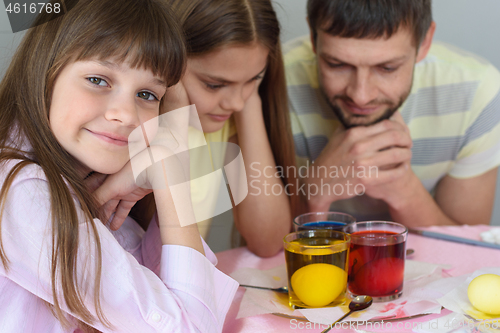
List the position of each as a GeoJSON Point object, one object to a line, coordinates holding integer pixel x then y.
{"type": "Point", "coordinates": [235, 77]}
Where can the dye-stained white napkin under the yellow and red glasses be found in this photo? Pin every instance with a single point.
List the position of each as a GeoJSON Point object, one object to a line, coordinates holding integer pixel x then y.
{"type": "Point", "coordinates": [416, 298]}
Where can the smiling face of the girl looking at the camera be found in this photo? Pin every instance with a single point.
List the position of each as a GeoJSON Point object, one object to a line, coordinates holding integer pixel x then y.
{"type": "Point", "coordinates": [96, 105]}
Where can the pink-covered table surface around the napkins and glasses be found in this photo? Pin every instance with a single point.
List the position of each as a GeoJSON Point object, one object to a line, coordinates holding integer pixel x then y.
{"type": "Point", "coordinates": [463, 258]}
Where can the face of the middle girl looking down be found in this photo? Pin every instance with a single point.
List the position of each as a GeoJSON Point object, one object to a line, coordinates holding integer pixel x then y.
{"type": "Point", "coordinates": [219, 83]}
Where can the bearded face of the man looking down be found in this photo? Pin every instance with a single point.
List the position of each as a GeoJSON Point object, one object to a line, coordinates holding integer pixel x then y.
{"type": "Point", "coordinates": [365, 80]}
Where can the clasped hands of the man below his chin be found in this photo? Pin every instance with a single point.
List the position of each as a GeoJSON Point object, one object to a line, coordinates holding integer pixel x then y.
{"type": "Point", "coordinates": [374, 159]}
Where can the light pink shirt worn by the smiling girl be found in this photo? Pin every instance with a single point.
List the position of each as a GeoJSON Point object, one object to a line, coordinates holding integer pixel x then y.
{"type": "Point", "coordinates": [145, 286]}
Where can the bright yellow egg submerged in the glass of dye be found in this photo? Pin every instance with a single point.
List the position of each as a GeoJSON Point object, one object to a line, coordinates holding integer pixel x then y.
{"type": "Point", "coordinates": [318, 285]}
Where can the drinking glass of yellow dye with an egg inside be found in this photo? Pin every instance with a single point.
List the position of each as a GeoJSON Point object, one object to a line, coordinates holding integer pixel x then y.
{"type": "Point", "coordinates": [316, 262]}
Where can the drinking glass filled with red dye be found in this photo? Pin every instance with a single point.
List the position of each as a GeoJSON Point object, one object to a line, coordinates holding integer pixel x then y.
{"type": "Point", "coordinates": [377, 259]}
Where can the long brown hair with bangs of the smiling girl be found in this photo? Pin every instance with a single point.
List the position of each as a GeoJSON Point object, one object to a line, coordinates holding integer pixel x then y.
{"type": "Point", "coordinates": [141, 32]}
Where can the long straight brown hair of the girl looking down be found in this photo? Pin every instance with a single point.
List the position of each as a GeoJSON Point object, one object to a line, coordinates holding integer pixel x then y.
{"type": "Point", "coordinates": [209, 25]}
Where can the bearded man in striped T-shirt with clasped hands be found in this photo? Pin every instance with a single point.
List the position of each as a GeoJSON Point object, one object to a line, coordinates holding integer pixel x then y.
{"type": "Point", "coordinates": [390, 124]}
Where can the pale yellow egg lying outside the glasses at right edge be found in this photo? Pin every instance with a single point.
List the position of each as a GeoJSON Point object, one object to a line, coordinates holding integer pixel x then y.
{"type": "Point", "coordinates": [484, 293]}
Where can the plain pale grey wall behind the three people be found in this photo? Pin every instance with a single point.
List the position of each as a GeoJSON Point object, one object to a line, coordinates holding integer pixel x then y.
{"type": "Point", "coordinates": [473, 25]}
